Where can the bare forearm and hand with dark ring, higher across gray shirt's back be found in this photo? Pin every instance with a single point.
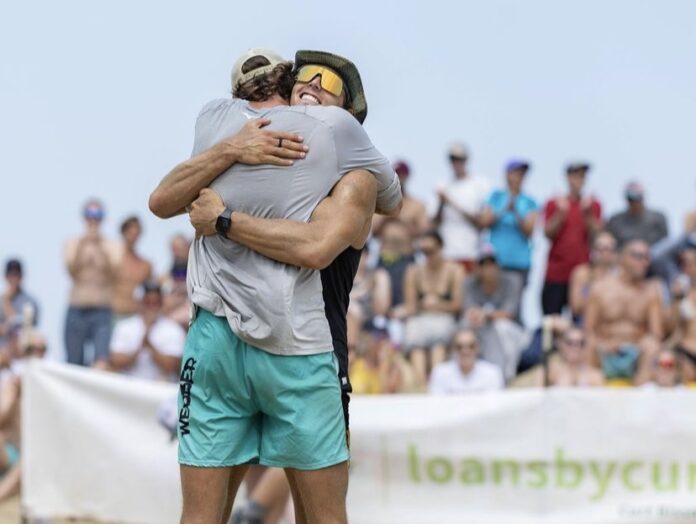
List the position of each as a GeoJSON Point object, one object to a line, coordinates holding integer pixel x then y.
{"type": "Point", "coordinates": [251, 145]}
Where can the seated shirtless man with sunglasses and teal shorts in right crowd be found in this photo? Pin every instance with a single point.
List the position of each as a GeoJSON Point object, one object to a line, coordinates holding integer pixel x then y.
{"type": "Point", "coordinates": [624, 317]}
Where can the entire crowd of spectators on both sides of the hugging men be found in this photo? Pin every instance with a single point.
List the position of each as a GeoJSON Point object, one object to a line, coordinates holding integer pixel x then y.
{"type": "Point", "coordinates": [436, 303]}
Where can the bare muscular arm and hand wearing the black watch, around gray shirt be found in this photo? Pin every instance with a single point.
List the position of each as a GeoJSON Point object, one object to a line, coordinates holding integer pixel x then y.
{"type": "Point", "coordinates": [336, 223]}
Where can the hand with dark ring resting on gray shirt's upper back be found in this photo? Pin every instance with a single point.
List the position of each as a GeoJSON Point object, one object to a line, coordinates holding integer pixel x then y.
{"type": "Point", "coordinates": [254, 146]}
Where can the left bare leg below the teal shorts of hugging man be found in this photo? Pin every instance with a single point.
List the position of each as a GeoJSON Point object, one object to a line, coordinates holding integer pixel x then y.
{"type": "Point", "coordinates": [205, 494]}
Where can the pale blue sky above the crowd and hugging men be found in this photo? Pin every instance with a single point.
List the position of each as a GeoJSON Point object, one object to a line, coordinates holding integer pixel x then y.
{"type": "Point", "coordinates": [99, 98]}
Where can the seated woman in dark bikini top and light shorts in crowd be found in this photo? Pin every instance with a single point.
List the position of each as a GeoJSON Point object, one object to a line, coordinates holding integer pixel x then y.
{"type": "Point", "coordinates": [433, 298]}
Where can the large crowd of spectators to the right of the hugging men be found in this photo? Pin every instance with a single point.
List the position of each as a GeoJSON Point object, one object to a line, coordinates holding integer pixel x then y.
{"type": "Point", "coordinates": [437, 300]}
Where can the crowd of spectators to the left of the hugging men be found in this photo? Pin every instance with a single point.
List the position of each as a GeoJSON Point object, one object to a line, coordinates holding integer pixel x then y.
{"type": "Point", "coordinates": [121, 317]}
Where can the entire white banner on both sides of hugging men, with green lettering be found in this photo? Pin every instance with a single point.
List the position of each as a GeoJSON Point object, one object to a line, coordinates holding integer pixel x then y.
{"type": "Point", "coordinates": [92, 446]}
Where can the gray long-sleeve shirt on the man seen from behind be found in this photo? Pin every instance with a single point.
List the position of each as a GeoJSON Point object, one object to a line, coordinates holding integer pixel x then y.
{"type": "Point", "coordinates": [270, 305]}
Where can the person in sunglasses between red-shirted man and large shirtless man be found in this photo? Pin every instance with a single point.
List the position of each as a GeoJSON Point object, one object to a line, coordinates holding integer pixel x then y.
{"type": "Point", "coordinates": [602, 262]}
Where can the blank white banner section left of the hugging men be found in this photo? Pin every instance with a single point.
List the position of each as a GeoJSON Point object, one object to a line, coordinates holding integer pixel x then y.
{"type": "Point", "coordinates": [92, 447]}
